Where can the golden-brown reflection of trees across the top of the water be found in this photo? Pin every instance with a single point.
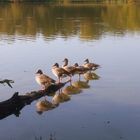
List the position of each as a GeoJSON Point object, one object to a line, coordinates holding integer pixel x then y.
{"type": "Point", "coordinates": [88, 22]}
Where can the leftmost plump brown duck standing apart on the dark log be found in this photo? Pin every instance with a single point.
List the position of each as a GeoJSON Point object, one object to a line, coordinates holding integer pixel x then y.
{"type": "Point", "coordinates": [43, 79]}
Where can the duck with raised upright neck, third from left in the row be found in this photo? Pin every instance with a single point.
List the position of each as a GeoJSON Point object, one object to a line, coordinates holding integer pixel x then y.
{"type": "Point", "coordinates": [70, 69]}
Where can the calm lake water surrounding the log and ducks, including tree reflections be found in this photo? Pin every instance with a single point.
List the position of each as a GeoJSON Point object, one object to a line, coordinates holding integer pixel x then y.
{"type": "Point", "coordinates": [34, 36]}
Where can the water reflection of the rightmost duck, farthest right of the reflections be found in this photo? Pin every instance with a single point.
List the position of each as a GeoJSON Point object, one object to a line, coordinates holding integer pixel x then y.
{"type": "Point", "coordinates": [91, 76]}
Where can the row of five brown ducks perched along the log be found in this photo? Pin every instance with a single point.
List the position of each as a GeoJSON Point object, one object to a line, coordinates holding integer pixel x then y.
{"type": "Point", "coordinates": [65, 71]}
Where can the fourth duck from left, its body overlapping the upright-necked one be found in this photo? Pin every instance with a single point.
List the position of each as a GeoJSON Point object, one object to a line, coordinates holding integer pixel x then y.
{"type": "Point", "coordinates": [80, 69]}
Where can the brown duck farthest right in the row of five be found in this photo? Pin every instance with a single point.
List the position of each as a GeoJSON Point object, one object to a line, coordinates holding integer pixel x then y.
{"type": "Point", "coordinates": [90, 66]}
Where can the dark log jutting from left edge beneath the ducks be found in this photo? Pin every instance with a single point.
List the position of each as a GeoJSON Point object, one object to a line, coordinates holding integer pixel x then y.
{"type": "Point", "coordinates": [17, 102]}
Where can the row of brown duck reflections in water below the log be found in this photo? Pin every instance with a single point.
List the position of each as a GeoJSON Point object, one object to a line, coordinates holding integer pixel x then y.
{"type": "Point", "coordinates": [63, 95]}
